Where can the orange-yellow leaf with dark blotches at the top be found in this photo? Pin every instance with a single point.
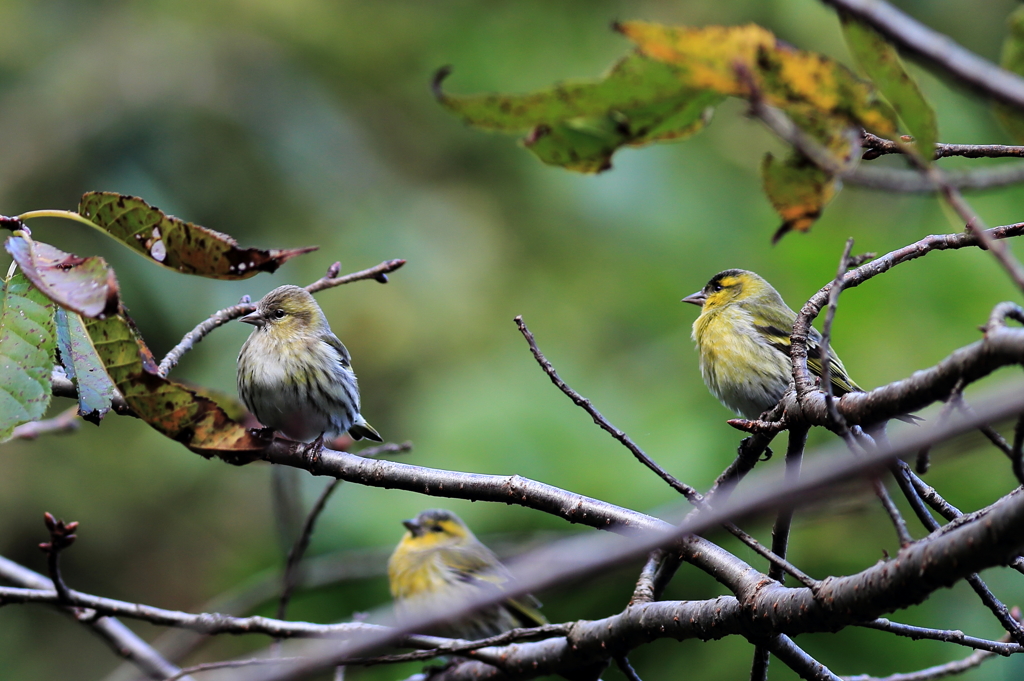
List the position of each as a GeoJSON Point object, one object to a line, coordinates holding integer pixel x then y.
{"type": "Point", "coordinates": [733, 60]}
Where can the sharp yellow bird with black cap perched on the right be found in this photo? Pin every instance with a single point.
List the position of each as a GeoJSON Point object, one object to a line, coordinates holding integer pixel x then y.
{"type": "Point", "coordinates": [743, 336]}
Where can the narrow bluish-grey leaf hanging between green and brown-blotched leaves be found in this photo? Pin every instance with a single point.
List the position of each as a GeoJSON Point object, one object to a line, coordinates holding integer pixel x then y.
{"type": "Point", "coordinates": [96, 391]}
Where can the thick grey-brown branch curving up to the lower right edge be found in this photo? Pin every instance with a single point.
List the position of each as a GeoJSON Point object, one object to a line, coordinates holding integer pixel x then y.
{"type": "Point", "coordinates": [916, 572]}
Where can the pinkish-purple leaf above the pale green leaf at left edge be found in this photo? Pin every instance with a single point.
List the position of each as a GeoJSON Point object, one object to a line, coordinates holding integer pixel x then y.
{"type": "Point", "coordinates": [87, 286]}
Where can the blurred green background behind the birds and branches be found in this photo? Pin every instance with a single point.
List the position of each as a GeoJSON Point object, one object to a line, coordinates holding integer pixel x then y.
{"type": "Point", "coordinates": [301, 122]}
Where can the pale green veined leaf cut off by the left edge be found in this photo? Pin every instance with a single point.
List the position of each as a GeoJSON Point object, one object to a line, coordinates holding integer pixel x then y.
{"type": "Point", "coordinates": [27, 342]}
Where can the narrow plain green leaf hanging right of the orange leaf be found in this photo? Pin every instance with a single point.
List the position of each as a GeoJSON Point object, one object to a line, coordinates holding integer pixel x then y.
{"type": "Point", "coordinates": [881, 62]}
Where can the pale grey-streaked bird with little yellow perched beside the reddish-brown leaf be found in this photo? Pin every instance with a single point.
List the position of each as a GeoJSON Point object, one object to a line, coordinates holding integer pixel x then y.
{"type": "Point", "coordinates": [294, 374]}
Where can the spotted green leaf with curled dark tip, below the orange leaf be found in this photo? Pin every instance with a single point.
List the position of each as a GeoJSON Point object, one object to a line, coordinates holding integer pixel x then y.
{"type": "Point", "coordinates": [579, 125]}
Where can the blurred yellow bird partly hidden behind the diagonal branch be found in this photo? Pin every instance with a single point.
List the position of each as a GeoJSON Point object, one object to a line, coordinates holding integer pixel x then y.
{"type": "Point", "coordinates": [440, 560]}
